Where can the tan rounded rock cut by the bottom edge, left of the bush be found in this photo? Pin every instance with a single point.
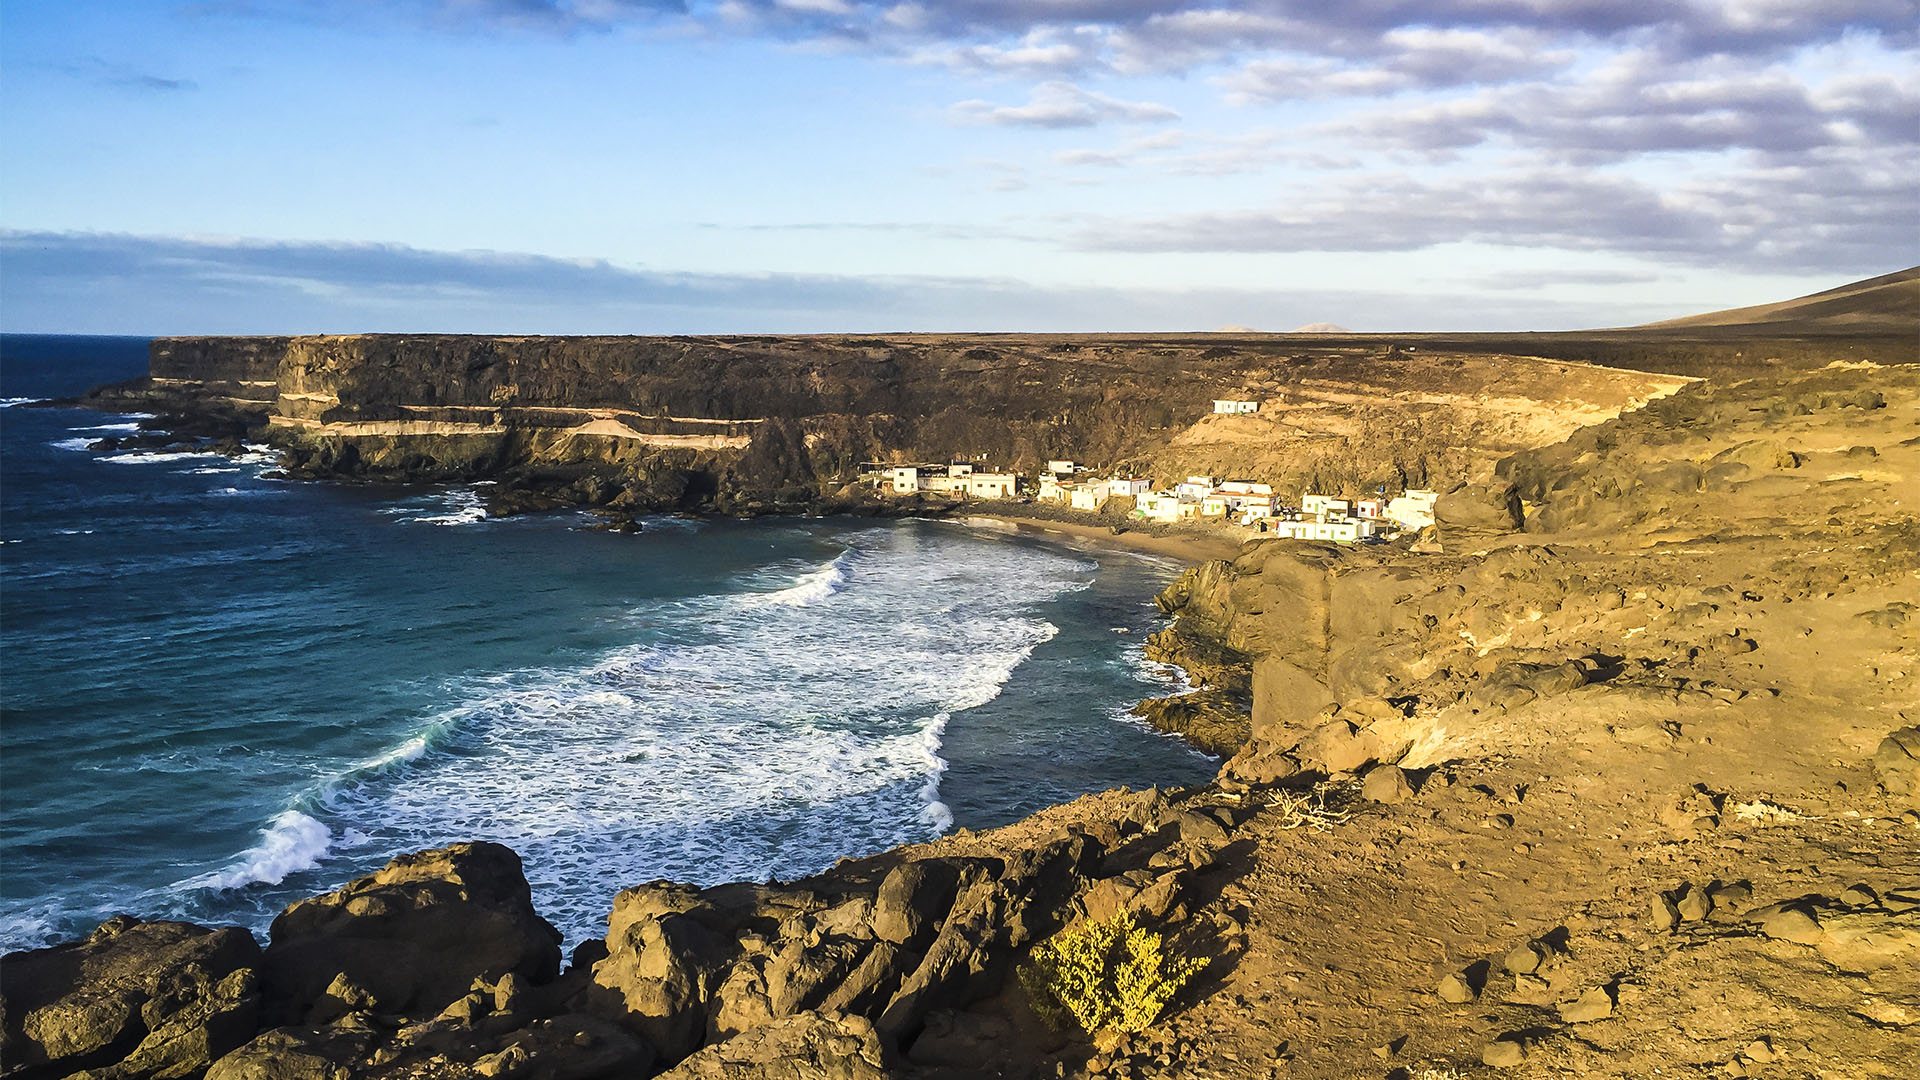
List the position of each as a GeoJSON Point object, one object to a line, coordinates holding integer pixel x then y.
{"type": "Point", "coordinates": [809, 1046]}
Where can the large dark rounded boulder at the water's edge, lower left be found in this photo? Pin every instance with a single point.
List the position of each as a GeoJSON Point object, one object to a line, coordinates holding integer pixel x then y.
{"type": "Point", "coordinates": [410, 939]}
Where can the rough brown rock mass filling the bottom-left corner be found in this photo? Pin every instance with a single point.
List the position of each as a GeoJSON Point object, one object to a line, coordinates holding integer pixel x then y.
{"type": "Point", "coordinates": [130, 1002]}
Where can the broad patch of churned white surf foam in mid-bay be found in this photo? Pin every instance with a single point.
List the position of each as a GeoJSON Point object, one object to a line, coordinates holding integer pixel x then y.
{"type": "Point", "coordinates": [736, 743]}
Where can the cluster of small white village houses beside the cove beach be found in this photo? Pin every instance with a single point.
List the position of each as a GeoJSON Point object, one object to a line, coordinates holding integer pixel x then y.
{"type": "Point", "coordinates": [1245, 504]}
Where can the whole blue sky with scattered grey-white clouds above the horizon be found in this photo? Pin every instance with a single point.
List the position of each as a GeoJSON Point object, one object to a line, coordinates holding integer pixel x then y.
{"type": "Point", "coordinates": [846, 166]}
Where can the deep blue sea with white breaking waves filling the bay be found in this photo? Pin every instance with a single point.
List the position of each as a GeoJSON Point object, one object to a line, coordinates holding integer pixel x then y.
{"type": "Point", "coordinates": [226, 693]}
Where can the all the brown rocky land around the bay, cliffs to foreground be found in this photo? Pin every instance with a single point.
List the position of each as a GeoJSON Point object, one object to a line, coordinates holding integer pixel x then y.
{"type": "Point", "coordinates": [1616, 773]}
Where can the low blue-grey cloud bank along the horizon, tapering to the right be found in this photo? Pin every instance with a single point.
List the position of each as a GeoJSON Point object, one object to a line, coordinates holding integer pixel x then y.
{"type": "Point", "coordinates": [168, 285]}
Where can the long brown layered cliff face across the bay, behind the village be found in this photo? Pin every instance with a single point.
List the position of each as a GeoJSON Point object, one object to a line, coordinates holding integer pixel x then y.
{"type": "Point", "coordinates": [790, 420]}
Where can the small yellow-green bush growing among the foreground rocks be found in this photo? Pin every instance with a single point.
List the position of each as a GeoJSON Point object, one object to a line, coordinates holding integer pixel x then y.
{"type": "Point", "coordinates": [1111, 977]}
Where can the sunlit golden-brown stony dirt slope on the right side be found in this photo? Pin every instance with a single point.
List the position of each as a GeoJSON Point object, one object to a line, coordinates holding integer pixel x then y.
{"type": "Point", "coordinates": [1687, 871]}
